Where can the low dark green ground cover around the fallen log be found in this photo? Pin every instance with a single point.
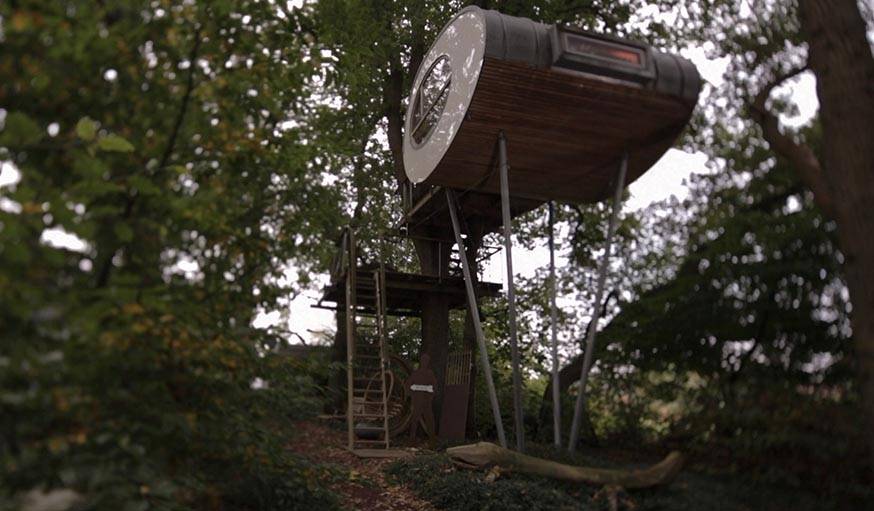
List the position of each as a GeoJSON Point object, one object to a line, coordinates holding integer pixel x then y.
{"type": "Point", "coordinates": [437, 480]}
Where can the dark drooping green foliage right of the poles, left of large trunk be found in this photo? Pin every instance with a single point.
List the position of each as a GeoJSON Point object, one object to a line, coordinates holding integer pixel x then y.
{"type": "Point", "coordinates": [744, 351]}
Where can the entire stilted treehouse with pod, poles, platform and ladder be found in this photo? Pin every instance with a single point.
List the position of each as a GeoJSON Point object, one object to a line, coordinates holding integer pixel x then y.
{"type": "Point", "coordinates": [505, 114]}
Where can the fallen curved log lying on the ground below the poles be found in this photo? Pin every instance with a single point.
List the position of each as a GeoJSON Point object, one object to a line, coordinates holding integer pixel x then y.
{"type": "Point", "coordinates": [485, 454]}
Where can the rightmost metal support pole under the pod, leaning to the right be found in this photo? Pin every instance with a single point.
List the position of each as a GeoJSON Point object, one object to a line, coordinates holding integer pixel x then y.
{"type": "Point", "coordinates": [596, 313]}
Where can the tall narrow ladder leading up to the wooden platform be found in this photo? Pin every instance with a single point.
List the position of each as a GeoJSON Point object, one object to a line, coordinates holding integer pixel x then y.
{"type": "Point", "coordinates": [366, 359]}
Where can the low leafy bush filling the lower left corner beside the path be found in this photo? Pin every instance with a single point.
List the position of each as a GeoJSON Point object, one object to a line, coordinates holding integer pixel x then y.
{"type": "Point", "coordinates": [149, 415]}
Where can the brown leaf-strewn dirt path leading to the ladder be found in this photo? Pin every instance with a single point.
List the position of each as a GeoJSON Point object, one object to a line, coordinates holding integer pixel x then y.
{"type": "Point", "coordinates": [366, 487]}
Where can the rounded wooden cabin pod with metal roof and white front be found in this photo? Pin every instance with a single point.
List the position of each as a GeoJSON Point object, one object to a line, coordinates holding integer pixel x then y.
{"type": "Point", "coordinates": [569, 102]}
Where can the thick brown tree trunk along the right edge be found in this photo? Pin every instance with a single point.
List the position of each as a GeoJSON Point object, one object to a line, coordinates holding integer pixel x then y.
{"type": "Point", "coordinates": [840, 57]}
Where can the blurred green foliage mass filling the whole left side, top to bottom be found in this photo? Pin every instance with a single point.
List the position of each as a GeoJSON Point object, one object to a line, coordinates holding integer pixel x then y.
{"type": "Point", "coordinates": [158, 134]}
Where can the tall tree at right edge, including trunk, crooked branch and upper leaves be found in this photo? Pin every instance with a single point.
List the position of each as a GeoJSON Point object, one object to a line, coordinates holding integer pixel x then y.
{"type": "Point", "coordinates": [766, 48]}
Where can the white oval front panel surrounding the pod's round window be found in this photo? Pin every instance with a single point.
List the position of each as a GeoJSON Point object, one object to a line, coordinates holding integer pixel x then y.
{"type": "Point", "coordinates": [463, 42]}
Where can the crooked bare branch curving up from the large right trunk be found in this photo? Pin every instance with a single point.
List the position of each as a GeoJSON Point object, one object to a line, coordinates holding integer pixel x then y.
{"type": "Point", "coordinates": [801, 156]}
